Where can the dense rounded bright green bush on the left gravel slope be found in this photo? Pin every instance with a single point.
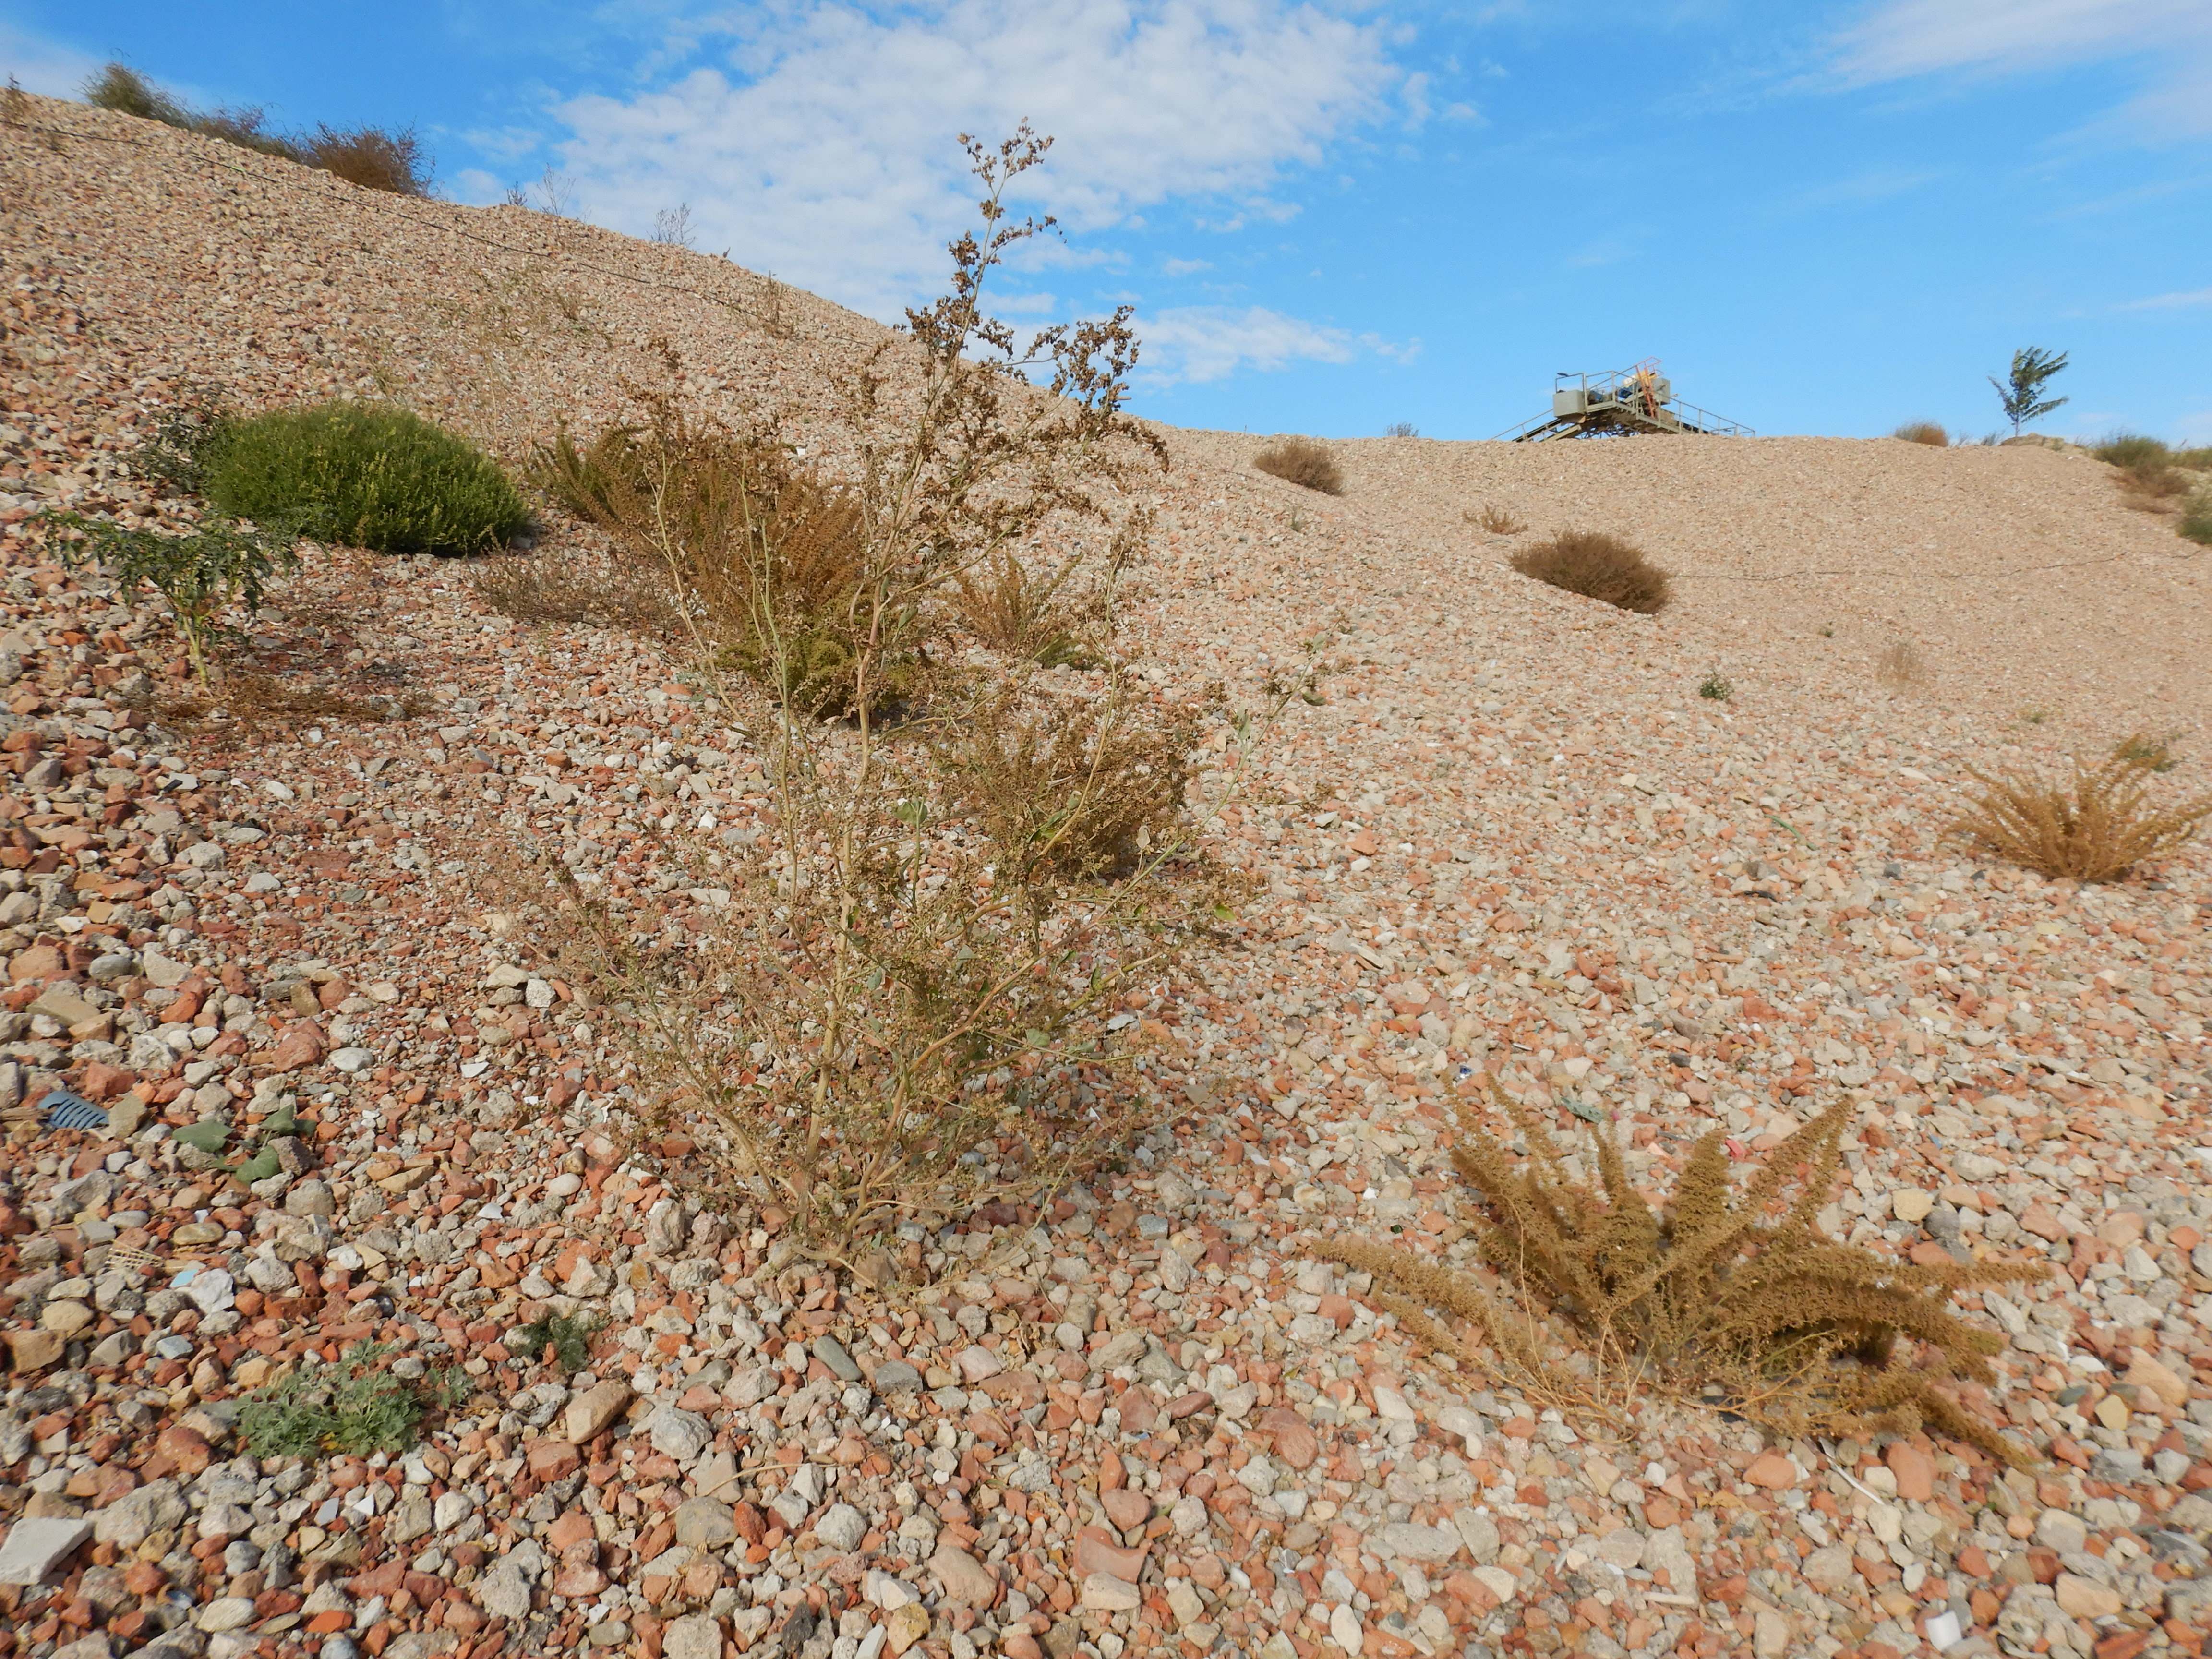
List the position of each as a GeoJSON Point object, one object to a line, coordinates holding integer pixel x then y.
{"type": "Point", "coordinates": [366, 474]}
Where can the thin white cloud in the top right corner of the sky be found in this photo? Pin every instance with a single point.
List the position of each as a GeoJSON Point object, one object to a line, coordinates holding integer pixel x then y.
{"type": "Point", "coordinates": [1906, 39]}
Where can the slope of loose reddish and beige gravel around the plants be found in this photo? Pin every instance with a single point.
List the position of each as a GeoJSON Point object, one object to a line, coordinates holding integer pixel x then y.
{"type": "Point", "coordinates": [1514, 839]}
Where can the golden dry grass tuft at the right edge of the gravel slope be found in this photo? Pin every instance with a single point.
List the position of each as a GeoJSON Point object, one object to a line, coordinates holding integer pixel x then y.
{"type": "Point", "coordinates": [2098, 826]}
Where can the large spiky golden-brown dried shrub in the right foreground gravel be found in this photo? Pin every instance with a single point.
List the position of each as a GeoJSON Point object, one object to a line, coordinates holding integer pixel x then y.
{"type": "Point", "coordinates": [1731, 1291]}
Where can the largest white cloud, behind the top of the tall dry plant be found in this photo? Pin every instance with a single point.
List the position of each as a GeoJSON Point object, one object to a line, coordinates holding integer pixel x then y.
{"type": "Point", "coordinates": [826, 152]}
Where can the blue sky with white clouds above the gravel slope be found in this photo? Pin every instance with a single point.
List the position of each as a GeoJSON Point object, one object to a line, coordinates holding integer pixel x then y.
{"type": "Point", "coordinates": [1822, 218]}
